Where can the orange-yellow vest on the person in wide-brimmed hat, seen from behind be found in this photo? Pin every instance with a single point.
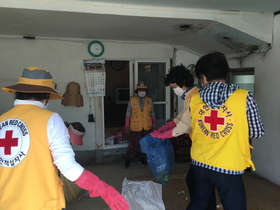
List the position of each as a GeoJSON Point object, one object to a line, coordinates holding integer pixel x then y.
{"type": "Point", "coordinates": [28, 177]}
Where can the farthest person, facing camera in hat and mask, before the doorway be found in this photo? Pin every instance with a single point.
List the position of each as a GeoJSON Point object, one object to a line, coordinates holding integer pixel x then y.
{"type": "Point", "coordinates": [140, 120]}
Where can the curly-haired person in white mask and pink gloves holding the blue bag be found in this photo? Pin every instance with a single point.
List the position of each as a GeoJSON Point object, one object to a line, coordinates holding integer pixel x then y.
{"type": "Point", "coordinates": [180, 79]}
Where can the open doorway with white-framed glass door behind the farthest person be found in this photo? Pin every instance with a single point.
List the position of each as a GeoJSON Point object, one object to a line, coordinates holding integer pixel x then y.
{"type": "Point", "coordinates": [121, 80]}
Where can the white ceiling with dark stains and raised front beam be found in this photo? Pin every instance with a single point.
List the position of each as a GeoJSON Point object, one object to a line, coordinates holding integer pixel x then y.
{"type": "Point", "coordinates": [233, 27]}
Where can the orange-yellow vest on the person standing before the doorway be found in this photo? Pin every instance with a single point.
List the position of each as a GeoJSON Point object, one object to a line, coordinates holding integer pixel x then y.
{"type": "Point", "coordinates": [139, 119]}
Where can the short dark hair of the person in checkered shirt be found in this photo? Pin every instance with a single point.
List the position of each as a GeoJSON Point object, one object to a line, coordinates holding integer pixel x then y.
{"type": "Point", "coordinates": [213, 66]}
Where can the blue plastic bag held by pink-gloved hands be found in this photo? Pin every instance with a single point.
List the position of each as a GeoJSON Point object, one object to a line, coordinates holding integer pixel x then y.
{"type": "Point", "coordinates": [160, 156]}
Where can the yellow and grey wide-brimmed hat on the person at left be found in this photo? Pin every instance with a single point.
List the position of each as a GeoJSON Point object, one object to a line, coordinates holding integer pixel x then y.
{"type": "Point", "coordinates": [34, 80]}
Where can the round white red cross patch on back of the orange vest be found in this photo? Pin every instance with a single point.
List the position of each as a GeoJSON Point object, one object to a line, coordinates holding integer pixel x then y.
{"type": "Point", "coordinates": [14, 142]}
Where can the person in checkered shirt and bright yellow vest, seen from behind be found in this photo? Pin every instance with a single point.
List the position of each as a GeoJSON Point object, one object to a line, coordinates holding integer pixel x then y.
{"type": "Point", "coordinates": [223, 119]}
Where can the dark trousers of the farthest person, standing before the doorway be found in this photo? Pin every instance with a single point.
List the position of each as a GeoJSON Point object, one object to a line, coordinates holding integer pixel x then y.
{"type": "Point", "coordinates": [134, 144]}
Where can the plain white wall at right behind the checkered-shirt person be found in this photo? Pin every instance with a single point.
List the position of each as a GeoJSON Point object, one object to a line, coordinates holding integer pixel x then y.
{"type": "Point", "coordinates": [266, 155]}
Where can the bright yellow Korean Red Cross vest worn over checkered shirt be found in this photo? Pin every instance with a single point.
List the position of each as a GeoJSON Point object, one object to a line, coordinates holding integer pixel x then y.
{"type": "Point", "coordinates": [220, 137]}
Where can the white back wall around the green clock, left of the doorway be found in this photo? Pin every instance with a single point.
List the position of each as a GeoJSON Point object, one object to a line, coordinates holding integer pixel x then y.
{"type": "Point", "coordinates": [63, 59]}
